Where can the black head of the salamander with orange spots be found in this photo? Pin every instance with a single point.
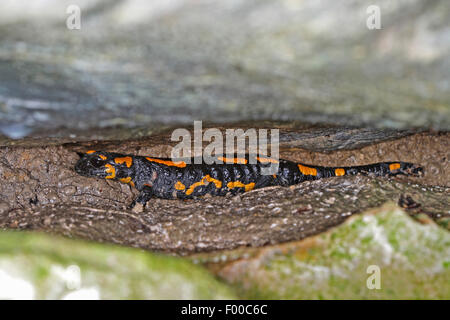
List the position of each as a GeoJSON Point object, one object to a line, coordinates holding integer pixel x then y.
{"type": "Point", "coordinates": [103, 165]}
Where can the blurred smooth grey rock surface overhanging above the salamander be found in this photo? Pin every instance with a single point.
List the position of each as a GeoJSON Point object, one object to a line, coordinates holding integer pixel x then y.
{"type": "Point", "coordinates": [168, 62]}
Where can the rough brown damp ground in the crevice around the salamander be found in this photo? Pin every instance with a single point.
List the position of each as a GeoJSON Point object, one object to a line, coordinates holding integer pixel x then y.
{"type": "Point", "coordinates": [41, 191]}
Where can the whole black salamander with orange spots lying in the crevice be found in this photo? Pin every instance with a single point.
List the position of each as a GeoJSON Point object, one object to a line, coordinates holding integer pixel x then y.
{"type": "Point", "coordinates": [166, 179]}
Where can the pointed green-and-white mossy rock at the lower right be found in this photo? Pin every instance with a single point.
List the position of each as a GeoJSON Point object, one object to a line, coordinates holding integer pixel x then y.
{"type": "Point", "coordinates": [413, 260]}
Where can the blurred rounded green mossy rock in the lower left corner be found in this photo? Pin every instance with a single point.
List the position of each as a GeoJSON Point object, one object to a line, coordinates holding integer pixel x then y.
{"type": "Point", "coordinates": [48, 265]}
